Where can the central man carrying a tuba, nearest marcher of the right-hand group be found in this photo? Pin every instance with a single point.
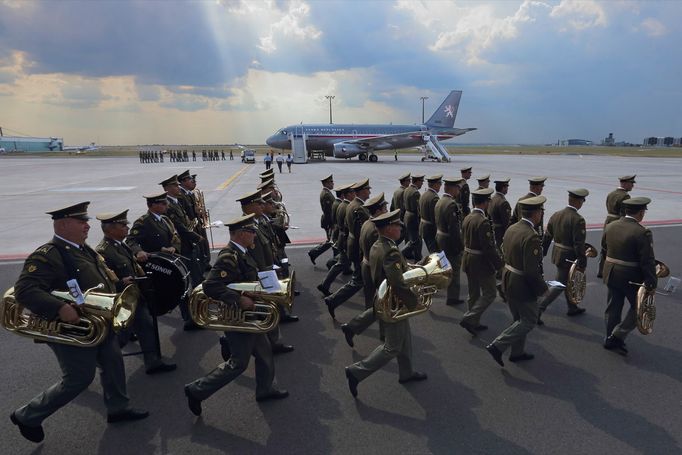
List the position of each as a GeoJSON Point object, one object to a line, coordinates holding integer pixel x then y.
{"type": "Point", "coordinates": [387, 263]}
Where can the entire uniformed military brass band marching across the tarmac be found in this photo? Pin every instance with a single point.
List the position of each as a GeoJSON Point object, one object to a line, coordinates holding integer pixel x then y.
{"type": "Point", "coordinates": [86, 303]}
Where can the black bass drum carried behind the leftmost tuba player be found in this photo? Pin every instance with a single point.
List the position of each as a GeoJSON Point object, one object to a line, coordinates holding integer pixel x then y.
{"type": "Point", "coordinates": [170, 282]}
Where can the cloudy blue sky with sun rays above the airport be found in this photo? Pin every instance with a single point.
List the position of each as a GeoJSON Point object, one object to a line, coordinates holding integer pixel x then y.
{"type": "Point", "coordinates": [221, 72]}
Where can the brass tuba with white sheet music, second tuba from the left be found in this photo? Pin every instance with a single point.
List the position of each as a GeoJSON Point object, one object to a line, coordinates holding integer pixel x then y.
{"type": "Point", "coordinates": [216, 315]}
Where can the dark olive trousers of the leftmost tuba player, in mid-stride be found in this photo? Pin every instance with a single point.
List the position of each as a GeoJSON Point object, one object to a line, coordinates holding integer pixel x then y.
{"type": "Point", "coordinates": [78, 365]}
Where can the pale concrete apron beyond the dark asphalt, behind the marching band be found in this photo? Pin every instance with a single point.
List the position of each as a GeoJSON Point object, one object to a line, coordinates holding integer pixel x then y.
{"type": "Point", "coordinates": [33, 186]}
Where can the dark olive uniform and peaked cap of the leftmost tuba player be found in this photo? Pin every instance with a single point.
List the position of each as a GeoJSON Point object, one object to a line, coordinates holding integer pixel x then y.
{"type": "Point", "coordinates": [47, 269]}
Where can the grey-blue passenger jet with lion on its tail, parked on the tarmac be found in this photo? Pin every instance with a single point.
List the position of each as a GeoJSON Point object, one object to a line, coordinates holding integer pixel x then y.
{"type": "Point", "coordinates": [361, 140]}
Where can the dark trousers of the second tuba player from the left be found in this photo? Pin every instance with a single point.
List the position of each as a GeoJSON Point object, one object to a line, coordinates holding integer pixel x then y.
{"type": "Point", "coordinates": [242, 347]}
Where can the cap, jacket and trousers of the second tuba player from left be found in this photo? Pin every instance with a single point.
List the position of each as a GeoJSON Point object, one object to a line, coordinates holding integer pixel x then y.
{"type": "Point", "coordinates": [235, 265]}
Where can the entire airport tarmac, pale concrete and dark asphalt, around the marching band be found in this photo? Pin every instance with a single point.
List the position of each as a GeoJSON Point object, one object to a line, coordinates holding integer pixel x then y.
{"type": "Point", "coordinates": [574, 397]}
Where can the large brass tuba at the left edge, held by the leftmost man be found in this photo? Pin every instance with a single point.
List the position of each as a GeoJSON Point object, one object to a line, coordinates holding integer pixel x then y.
{"type": "Point", "coordinates": [97, 312]}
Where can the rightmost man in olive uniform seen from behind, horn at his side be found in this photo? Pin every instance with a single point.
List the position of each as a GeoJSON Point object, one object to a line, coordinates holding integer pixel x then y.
{"type": "Point", "coordinates": [630, 259]}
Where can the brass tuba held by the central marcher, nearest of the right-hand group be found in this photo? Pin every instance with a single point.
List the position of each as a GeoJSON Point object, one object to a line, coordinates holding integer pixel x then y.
{"type": "Point", "coordinates": [424, 280]}
